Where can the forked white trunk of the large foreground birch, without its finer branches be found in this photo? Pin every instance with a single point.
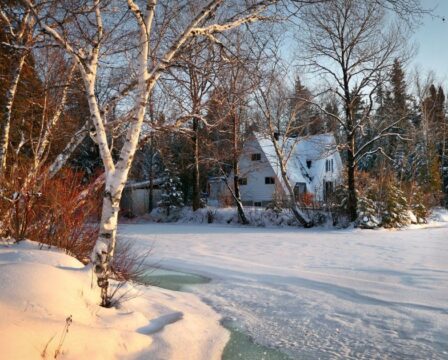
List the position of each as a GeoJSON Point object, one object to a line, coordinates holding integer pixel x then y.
{"type": "Point", "coordinates": [116, 176]}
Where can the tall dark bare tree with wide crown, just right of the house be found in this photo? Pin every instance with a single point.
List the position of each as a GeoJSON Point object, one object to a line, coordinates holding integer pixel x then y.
{"type": "Point", "coordinates": [350, 44]}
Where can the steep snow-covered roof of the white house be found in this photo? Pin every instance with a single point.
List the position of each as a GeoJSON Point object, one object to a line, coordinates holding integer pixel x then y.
{"type": "Point", "coordinates": [299, 150]}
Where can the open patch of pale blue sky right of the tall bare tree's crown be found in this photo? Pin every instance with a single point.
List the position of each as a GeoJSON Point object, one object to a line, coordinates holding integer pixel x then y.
{"type": "Point", "coordinates": [432, 40]}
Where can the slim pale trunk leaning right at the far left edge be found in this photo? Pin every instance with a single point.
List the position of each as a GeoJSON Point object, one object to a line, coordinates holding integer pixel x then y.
{"type": "Point", "coordinates": [6, 121]}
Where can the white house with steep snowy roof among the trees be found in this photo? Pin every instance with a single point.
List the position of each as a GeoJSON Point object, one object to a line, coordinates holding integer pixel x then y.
{"type": "Point", "coordinates": [314, 168]}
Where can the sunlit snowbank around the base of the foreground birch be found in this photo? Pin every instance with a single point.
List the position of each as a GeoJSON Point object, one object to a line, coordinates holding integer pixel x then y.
{"type": "Point", "coordinates": [40, 289]}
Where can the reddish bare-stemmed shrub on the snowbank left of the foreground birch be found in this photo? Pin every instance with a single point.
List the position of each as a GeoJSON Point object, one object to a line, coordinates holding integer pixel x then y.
{"type": "Point", "coordinates": [59, 212]}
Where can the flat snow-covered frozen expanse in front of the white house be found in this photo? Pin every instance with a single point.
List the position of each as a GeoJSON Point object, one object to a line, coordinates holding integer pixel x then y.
{"type": "Point", "coordinates": [319, 293]}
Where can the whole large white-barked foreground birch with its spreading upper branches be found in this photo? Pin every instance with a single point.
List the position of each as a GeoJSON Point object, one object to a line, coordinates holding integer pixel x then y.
{"type": "Point", "coordinates": [155, 52]}
